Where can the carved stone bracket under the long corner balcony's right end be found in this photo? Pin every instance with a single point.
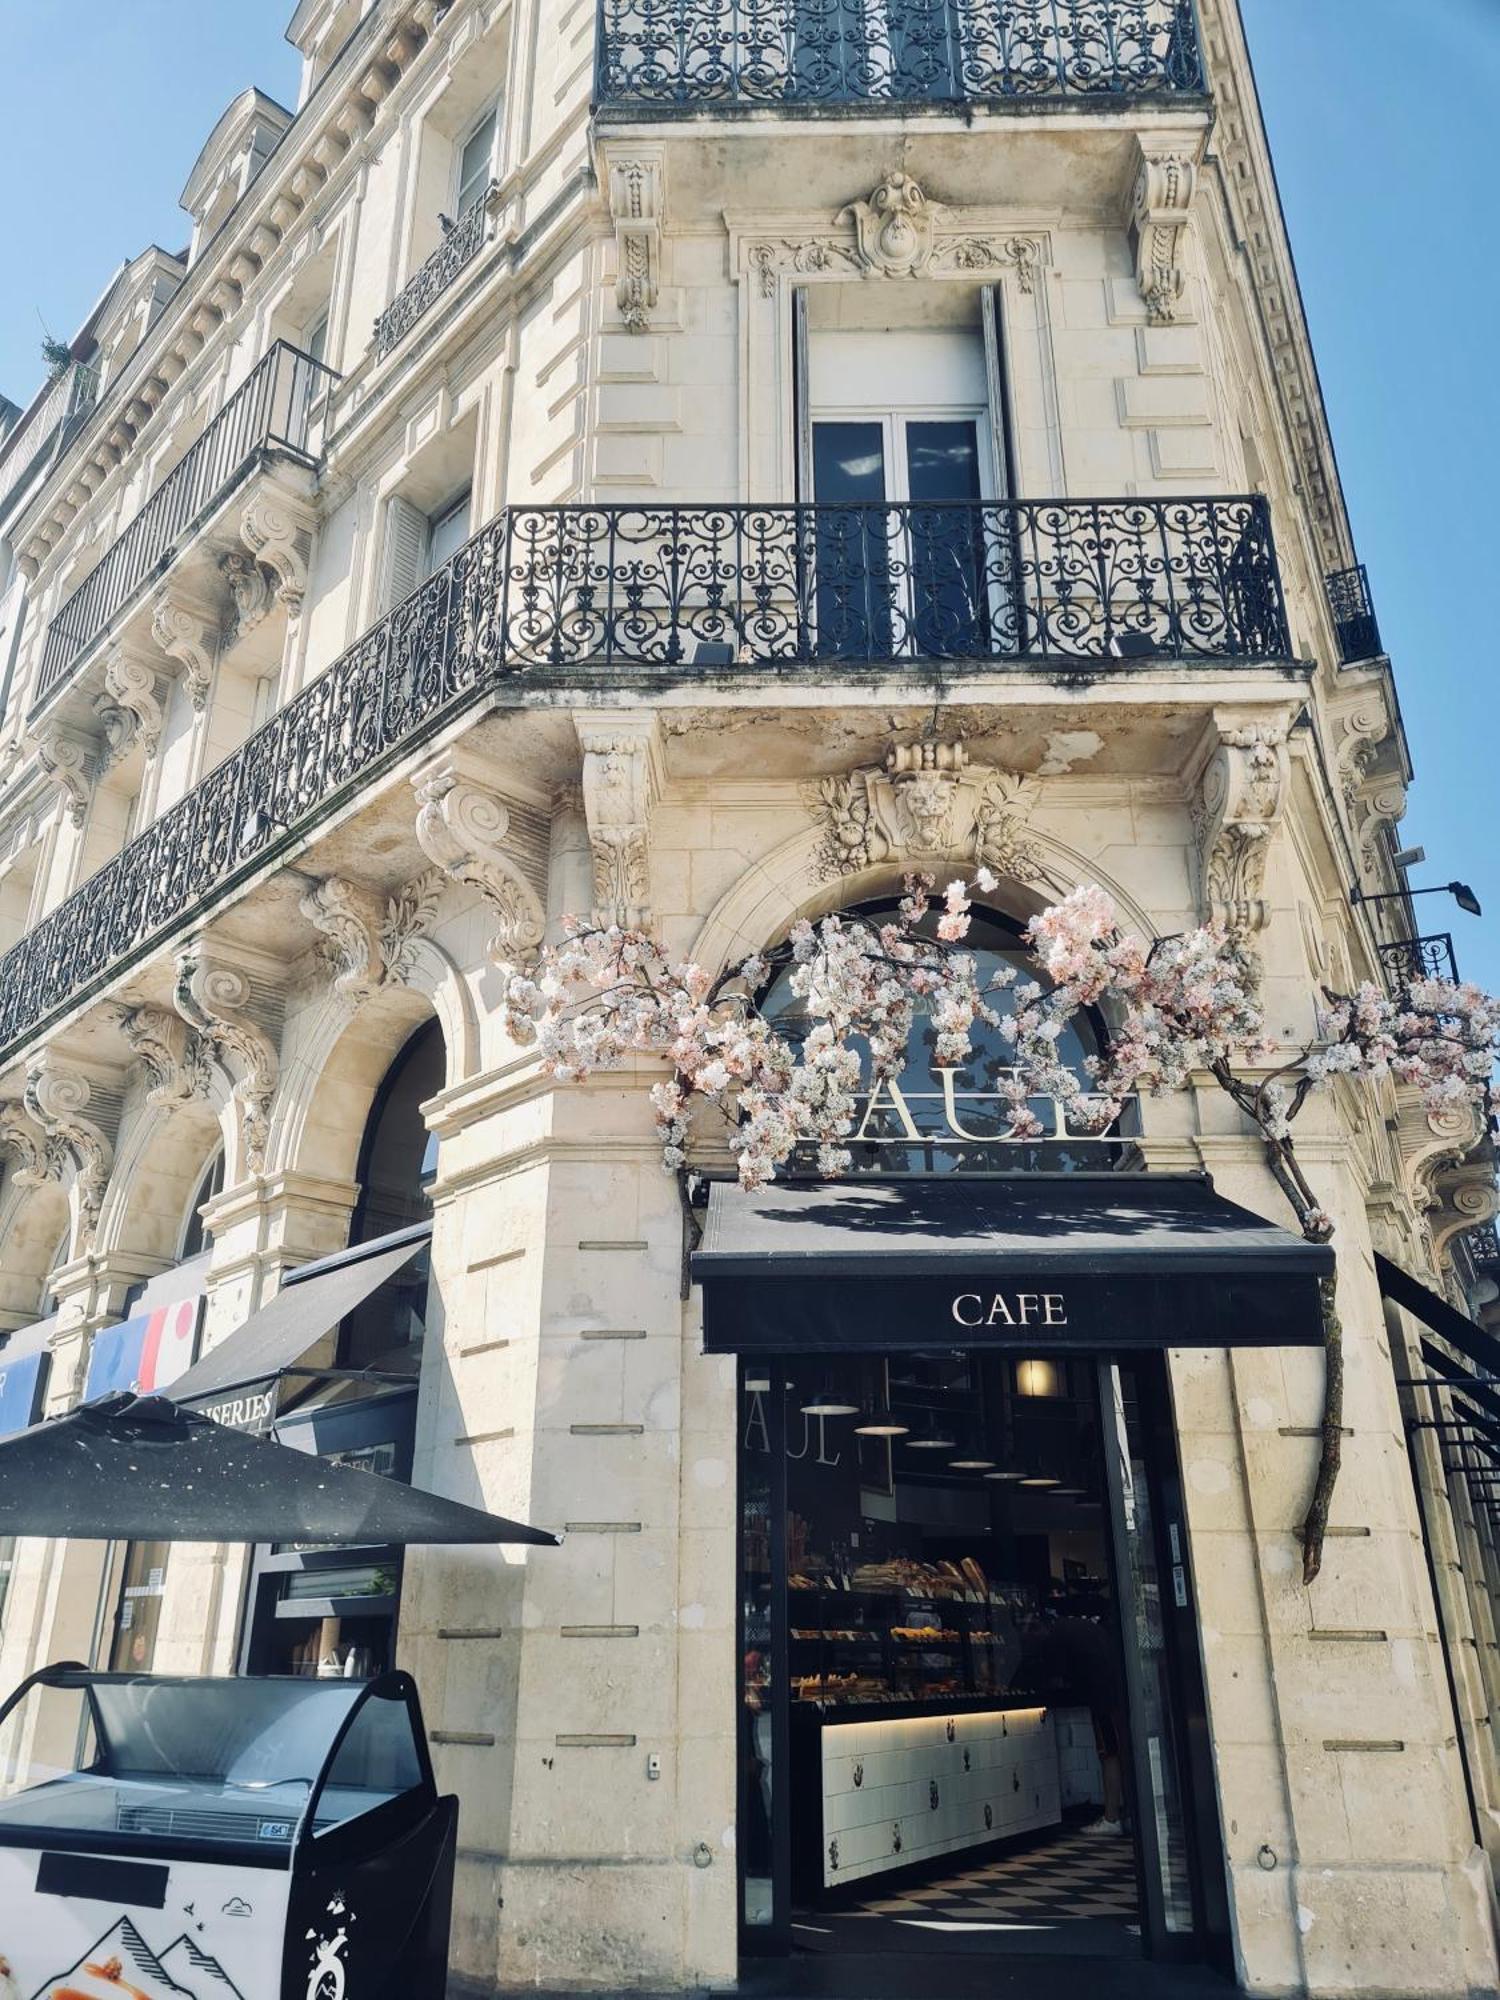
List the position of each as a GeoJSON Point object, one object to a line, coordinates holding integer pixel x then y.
{"type": "Point", "coordinates": [1239, 809]}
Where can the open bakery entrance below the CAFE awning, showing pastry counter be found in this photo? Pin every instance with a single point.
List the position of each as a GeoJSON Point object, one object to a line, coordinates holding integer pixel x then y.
{"type": "Point", "coordinates": [971, 1709]}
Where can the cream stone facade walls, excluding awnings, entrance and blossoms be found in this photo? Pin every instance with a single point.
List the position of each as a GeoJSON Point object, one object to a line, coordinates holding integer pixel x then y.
{"type": "Point", "coordinates": [603, 575]}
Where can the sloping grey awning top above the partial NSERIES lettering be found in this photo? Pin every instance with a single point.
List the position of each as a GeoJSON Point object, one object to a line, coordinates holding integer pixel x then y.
{"type": "Point", "coordinates": [311, 1303]}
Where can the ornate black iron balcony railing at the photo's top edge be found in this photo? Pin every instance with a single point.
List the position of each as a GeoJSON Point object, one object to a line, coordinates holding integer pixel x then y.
{"type": "Point", "coordinates": [697, 55]}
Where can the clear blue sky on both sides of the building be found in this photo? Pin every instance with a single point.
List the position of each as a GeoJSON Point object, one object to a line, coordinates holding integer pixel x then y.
{"type": "Point", "coordinates": [1381, 119]}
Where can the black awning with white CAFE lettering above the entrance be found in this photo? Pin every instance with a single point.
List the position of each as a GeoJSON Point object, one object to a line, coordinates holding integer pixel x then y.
{"type": "Point", "coordinates": [1067, 1261]}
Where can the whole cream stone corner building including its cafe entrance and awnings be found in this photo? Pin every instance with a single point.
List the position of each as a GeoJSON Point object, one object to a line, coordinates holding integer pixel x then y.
{"type": "Point", "coordinates": [699, 461]}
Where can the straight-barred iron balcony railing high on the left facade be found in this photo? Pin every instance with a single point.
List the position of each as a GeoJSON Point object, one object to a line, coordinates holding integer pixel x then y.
{"type": "Point", "coordinates": [277, 407]}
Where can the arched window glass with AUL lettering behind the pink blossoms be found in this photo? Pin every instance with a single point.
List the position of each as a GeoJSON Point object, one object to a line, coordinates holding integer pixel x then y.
{"type": "Point", "coordinates": [943, 1121]}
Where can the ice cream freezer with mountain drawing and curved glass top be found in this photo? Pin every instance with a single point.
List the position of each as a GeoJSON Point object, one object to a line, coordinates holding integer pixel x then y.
{"type": "Point", "coordinates": [221, 1841]}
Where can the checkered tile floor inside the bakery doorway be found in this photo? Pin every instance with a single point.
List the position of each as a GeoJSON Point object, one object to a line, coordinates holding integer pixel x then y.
{"type": "Point", "coordinates": [1065, 1879]}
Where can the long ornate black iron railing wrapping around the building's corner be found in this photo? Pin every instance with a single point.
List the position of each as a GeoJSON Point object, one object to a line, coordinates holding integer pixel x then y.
{"type": "Point", "coordinates": [1071, 587]}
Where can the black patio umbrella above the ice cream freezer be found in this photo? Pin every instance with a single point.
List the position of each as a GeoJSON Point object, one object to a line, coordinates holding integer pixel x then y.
{"type": "Point", "coordinates": [141, 1469]}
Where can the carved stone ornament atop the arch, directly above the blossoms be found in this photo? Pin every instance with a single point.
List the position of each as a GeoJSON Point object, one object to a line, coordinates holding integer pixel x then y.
{"type": "Point", "coordinates": [927, 801]}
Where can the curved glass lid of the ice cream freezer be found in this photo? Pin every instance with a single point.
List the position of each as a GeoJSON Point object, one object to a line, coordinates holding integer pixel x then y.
{"type": "Point", "coordinates": [245, 1763]}
